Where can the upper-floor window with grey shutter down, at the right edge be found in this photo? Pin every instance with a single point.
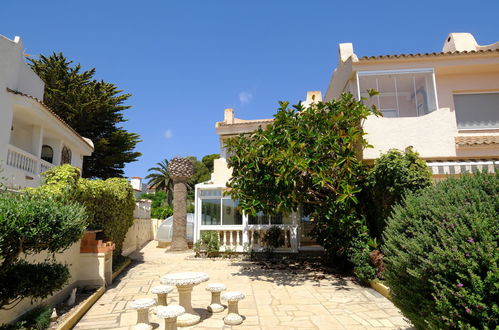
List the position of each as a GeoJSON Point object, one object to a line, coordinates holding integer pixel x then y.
{"type": "Point", "coordinates": [477, 111]}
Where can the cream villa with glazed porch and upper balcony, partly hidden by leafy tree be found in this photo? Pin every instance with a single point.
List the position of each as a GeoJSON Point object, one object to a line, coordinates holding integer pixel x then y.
{"type": "Point", "coordinates": [445, 105]}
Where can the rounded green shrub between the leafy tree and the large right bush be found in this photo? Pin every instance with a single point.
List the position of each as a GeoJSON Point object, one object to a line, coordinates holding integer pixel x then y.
{"type": "Point", "coordinates": [393, 175]}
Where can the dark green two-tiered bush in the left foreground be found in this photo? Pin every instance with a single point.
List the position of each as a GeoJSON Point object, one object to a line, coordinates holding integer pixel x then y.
{"type": "Point", "coordinates": [30, 225]}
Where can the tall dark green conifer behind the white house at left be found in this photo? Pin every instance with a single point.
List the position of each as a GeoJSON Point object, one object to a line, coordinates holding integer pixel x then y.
{"type": "Point", "coordinates": [94, 109]}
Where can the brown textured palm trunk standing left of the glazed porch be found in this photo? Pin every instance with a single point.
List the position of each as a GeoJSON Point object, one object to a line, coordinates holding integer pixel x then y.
{"type": "Point", "coordinates": [179, 235]}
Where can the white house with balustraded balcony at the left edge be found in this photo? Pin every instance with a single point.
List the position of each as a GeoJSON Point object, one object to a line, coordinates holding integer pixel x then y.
{"type": "Point", "coordinates": [33, 138]}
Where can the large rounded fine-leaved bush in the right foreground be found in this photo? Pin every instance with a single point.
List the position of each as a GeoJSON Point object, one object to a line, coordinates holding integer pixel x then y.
{"type": "Point", "coordinates": [441, 249]}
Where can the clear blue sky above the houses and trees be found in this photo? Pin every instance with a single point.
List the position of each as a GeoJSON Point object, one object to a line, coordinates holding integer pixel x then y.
{"type": "Point", "coordinates": [185, 61]}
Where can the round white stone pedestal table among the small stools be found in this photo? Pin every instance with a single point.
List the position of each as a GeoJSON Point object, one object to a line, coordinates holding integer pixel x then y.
{"type": "Point", "coordinates": [185, 282]}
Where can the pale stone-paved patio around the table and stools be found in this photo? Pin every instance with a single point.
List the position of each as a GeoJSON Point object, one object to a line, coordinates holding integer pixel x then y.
{"type": "Point", "coordinates": [275, 299]}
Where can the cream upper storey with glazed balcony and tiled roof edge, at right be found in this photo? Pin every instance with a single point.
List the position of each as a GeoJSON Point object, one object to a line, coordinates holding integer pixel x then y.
{"type": "Point", "coordinates": [443, 104]}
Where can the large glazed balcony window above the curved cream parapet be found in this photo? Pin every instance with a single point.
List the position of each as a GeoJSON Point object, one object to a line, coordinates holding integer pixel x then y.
{"type": "Point", "coordinates": [402, 93]}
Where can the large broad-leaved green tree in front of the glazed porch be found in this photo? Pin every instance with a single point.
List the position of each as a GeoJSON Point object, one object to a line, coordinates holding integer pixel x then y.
{"type": "Point", "coordinates": [306, 157]}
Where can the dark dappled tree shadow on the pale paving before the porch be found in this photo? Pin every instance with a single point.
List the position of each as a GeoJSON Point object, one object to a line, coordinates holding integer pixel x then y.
{"type": "Point", "coordinates": [290, 271]}
